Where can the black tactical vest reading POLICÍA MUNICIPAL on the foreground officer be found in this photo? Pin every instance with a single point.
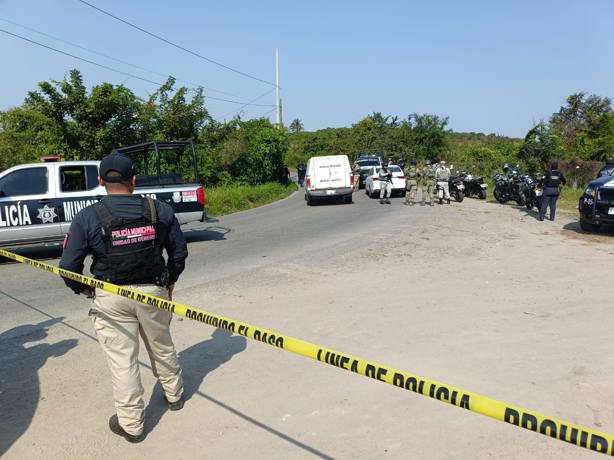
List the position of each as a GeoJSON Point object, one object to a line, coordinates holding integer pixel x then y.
{"type": "Point", "coordinates": [132, 250]}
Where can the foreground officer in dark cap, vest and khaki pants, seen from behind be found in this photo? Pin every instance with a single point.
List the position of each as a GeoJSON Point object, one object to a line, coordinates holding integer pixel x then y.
{"type": "Point", "coordinates": [108, 230]}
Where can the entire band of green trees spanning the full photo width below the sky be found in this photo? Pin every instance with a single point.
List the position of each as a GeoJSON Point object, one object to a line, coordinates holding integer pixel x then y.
{"type": "Point", "coordinates": [64, 117]}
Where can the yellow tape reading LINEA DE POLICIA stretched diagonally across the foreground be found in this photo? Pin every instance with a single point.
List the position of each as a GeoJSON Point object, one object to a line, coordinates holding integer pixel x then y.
{"type": "Point", "coordinates": [557, 429]}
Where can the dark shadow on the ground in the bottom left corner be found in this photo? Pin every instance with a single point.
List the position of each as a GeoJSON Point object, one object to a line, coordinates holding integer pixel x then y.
{"type": "Point", "coordinates": [19, 380]}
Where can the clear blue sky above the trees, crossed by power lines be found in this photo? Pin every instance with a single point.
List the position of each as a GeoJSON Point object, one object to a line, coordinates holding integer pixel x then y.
{"type": "Point", "coordinates": [489, 66]}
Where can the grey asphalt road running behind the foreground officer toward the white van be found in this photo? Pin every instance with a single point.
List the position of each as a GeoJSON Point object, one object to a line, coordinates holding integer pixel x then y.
{"type": "Point", "coordinates": [218, 248]}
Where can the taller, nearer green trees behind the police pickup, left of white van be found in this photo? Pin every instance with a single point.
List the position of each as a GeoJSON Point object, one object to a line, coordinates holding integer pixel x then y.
{"type": "Point", "coordinates": [63, 117]}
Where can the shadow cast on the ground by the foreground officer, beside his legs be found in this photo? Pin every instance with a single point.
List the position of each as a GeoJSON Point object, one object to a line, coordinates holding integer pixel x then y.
{"type": "Point", "coordinates": [196, 362]}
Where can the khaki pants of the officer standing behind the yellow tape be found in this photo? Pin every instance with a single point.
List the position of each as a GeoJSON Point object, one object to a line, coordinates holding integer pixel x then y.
{"type": "Point", "coordinates": [118, 322]}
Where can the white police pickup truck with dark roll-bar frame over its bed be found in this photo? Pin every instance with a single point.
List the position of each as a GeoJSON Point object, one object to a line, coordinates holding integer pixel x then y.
{"type": "Point", "coordinates": [38, 201]}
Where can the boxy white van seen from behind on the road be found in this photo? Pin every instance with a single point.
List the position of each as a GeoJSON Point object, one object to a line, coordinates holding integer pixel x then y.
{"type": "Point", "coordinates": [329, 177]}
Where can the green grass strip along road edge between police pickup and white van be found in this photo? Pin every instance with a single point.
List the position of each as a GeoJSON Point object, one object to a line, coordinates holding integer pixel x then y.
{"type": "Point", "coordinates": [233, 198]}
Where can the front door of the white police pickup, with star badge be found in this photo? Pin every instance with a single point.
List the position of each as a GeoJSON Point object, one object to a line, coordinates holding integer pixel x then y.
{"type": "Point", "coordinates": [28, 206]}
